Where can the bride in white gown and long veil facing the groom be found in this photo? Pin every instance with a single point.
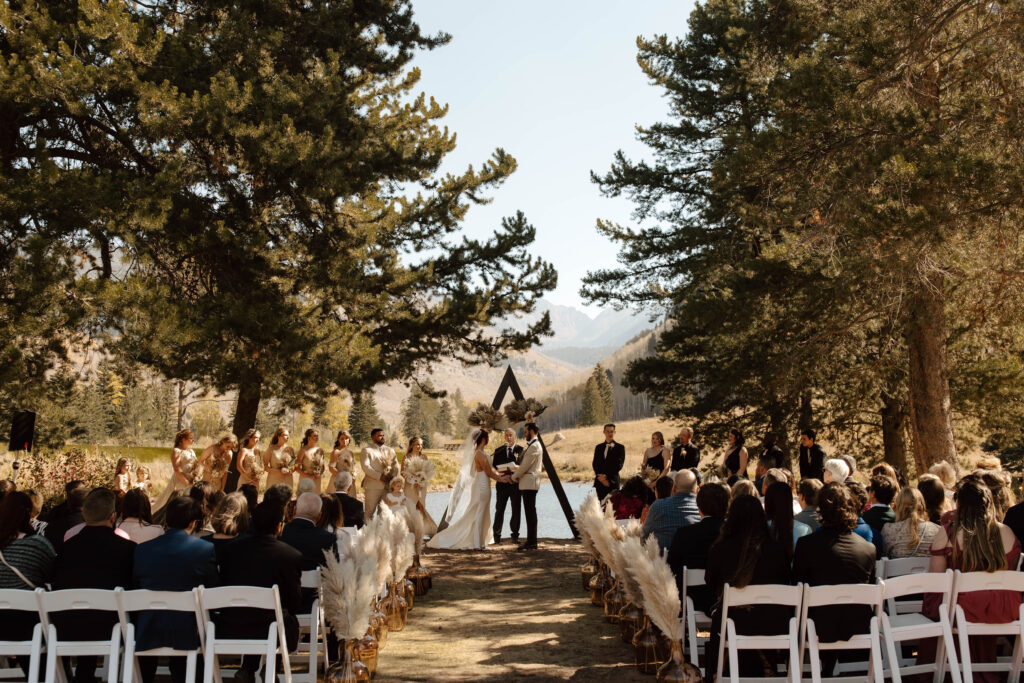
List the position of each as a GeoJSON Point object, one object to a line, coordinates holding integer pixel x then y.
{"type": "Point", "coordinates": [468, 516]}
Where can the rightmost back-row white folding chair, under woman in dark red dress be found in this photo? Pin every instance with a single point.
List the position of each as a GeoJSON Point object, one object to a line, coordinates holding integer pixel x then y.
{"type": "Point", "coordinates": [989, 581]}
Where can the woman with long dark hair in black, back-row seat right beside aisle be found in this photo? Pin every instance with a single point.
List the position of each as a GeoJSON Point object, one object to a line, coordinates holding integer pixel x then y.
{"type": "Point", "coordinates": [747, 556]}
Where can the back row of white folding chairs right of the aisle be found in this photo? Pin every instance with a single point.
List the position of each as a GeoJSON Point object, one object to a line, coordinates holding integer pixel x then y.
{"type": "Point", "coordinates": [893, 628]}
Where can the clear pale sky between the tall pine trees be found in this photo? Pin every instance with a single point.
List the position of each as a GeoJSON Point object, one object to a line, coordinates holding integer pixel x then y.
{"type": "Point", "coordinates": [557, 84]}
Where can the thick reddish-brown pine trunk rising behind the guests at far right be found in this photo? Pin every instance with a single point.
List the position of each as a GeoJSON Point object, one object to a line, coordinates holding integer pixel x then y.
{"type": "Point", "coordinates": [929, 380]}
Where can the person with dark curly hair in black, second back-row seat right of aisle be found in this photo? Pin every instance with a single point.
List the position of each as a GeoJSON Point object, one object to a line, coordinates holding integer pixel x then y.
{"type": "Point", "coordinates": [834, 554]}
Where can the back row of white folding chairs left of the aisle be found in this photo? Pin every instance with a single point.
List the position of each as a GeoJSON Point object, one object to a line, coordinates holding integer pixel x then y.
{"type": "Point", "coordinates": [200, 602]}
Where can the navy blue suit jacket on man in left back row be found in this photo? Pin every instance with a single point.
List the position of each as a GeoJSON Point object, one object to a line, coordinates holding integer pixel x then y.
{"type": "Point", "coordinates": [175, 562]}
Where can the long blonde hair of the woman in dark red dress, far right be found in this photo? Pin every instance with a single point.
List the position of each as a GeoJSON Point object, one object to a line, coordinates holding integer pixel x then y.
{"type": "Point", "coordinates": [983, 546]}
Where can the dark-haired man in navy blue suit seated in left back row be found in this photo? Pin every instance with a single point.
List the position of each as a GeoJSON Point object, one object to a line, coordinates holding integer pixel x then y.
{"type": "Point", "coordinates": [174, 562]}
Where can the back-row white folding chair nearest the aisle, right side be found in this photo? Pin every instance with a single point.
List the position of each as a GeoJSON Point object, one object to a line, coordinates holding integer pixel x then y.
{"type": "Point", "coordinates": [791, 596]}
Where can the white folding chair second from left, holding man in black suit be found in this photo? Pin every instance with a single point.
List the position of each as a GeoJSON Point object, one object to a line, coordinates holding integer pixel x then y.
{"type": "Point", "coordinates": [75, 601]}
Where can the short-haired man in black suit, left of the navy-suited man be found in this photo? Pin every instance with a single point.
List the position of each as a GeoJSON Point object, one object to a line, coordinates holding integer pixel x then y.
{"type": "Point", "coordinates": [96, 558]}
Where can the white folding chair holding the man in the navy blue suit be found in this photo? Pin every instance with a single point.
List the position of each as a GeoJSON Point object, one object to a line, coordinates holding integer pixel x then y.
{"type": "Point", "coordinates": [137, 602]}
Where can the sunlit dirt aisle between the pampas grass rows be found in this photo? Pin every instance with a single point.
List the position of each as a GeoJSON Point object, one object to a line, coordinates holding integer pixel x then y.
{"type": "Point", "coordinates": [503, 616]}
